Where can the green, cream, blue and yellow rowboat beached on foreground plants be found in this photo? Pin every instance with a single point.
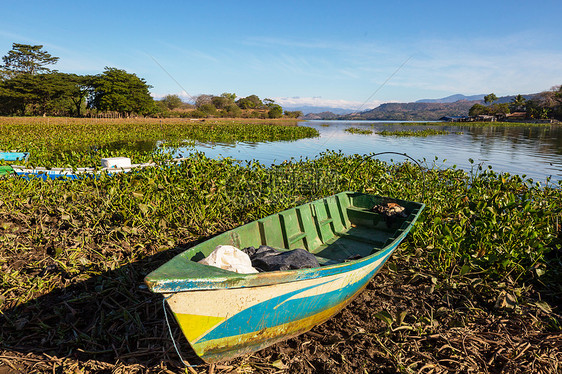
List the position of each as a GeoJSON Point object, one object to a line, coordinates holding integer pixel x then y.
{"type": "Point", "coordinates": [224, 314]}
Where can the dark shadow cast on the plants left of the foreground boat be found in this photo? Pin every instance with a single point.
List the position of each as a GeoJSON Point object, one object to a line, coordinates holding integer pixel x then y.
{"type": "Point", "coordinates": [111, 317]}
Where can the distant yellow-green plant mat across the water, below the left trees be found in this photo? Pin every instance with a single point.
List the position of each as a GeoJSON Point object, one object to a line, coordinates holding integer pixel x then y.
{"type": "Point", "coordinates": [72, 142]}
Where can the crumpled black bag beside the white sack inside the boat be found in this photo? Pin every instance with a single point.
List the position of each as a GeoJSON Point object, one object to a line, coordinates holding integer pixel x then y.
{"type": "Point", "coordinates": [269, 259]}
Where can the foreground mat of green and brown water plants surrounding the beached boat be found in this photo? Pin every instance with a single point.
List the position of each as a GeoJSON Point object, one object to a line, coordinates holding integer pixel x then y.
{"type": "Point", "coordinates": [474, 288]}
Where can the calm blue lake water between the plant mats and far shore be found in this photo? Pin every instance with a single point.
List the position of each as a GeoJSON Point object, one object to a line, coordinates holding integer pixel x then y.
{"type": "Point", "coordinates": [535, 151]}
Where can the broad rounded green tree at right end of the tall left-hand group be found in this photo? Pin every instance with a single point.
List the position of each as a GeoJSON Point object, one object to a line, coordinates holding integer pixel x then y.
{"type": "Point", "coordinates": [119, 91]}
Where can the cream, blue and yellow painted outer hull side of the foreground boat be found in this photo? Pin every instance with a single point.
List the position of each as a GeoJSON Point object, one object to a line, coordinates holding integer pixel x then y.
{"type": "Point", "coordinates": [239, 321]}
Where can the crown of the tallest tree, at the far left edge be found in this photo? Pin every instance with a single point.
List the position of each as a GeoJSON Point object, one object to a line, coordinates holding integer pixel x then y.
{"type": "Point", "coordinates": [27, 59]}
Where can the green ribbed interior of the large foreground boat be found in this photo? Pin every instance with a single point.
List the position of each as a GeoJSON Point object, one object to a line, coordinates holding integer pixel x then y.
{"type": "Point", "coordinates": [335, 229]}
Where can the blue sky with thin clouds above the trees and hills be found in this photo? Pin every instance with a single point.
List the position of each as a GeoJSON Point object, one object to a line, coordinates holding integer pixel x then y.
{"type": "Point", "coordinates": [303, 52]}
